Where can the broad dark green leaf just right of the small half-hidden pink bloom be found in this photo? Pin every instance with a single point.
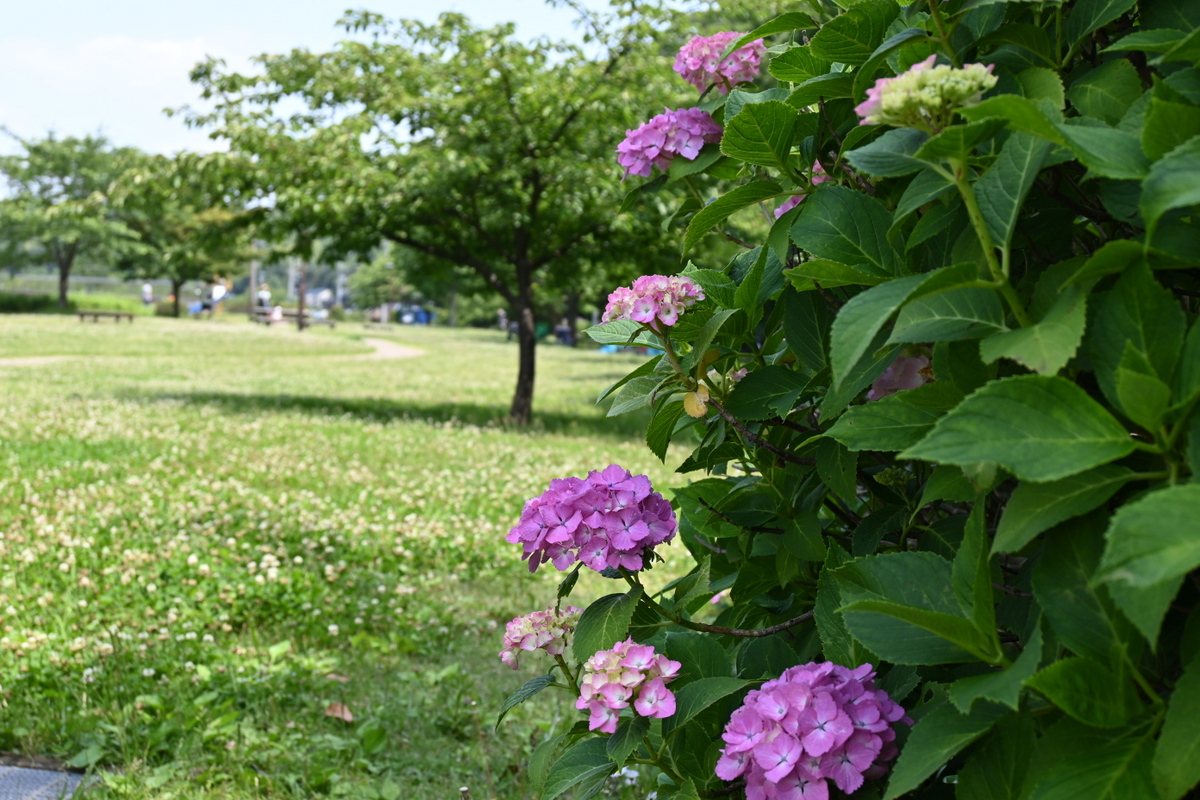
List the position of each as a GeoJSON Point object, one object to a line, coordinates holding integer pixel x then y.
{"type": "Point", "coordinates": [848, 227]}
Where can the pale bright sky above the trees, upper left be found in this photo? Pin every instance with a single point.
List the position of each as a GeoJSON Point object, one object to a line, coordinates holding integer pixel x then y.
{"type": "Point", "coordinates": [87, 67]}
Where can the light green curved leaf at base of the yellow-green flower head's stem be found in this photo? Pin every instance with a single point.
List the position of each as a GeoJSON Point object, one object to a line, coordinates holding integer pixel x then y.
{"type": "Point", "coordinates": [1047, 346]}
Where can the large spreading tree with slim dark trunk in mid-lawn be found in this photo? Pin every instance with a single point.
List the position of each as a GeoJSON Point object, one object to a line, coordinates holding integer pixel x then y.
{"type": "Point", "coordinates": [459, 143]}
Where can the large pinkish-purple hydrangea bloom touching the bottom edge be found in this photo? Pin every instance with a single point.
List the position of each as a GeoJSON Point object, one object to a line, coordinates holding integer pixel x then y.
{"type": "Point", "coordinates": [817, 723]}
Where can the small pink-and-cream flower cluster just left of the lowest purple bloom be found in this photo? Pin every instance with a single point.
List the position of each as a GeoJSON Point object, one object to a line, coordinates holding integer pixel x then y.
{"type": "Point", "coordinates": [628, 672]}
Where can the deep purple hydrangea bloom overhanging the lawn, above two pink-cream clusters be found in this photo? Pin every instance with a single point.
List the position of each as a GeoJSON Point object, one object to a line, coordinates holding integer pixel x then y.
{"type": "Point", "coordinates": [607, 521]}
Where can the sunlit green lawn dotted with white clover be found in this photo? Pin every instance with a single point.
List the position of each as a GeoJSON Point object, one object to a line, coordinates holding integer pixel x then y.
{"type": "Point", "coordinates": [211, 532]}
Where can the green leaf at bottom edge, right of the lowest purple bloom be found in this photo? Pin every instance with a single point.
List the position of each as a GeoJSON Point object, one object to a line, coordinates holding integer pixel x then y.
{"type": "Point", "coordinates": [935, 739]}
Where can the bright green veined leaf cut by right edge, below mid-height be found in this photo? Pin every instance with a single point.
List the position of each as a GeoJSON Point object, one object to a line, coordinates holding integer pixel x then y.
{"type": "Point", "coordinates": [1154, 539]}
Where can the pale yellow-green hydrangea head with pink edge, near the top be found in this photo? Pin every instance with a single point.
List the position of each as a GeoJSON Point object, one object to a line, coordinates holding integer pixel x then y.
{"type": "Point", "coordinates": [926, 97]}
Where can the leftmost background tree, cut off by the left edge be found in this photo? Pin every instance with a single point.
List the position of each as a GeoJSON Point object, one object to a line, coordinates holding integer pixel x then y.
{"type": "Point", "coordinates": [59, 208]}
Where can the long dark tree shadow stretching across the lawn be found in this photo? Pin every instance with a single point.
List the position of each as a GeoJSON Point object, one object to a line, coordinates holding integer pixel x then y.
{"type": "Point", "coordinates": [370, 410]}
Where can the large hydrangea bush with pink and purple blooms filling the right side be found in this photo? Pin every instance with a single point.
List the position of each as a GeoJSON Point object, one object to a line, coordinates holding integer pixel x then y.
{"type": "Point", "coordinates": [941, 416]}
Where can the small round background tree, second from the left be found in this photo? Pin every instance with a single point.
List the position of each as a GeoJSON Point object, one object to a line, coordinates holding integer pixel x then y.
{"type": "Point", "coordinates": [187, 224]}
